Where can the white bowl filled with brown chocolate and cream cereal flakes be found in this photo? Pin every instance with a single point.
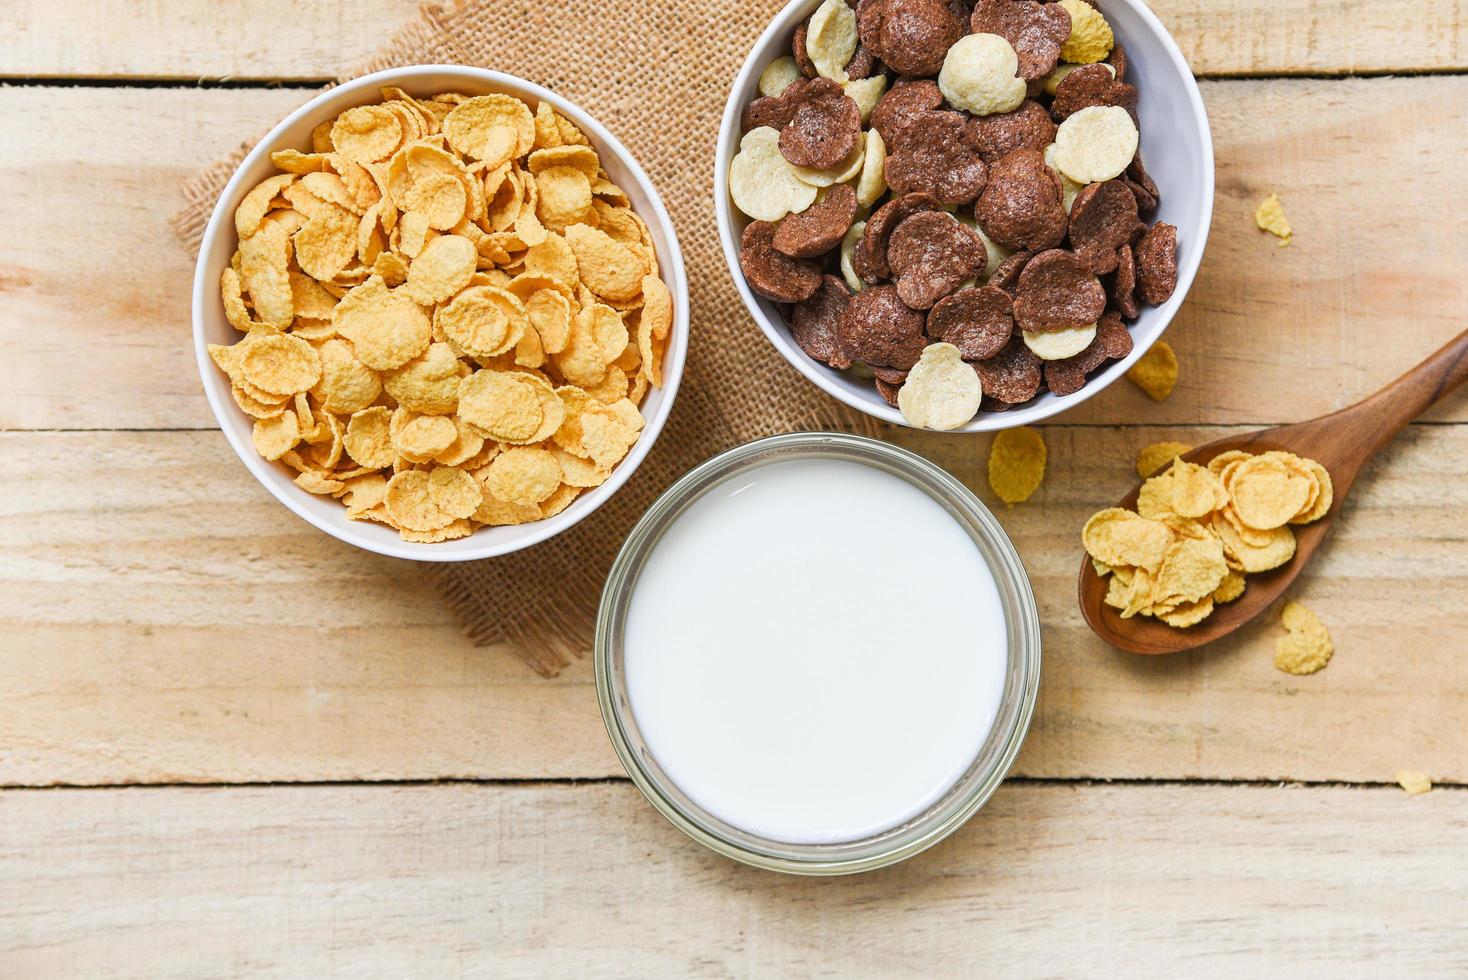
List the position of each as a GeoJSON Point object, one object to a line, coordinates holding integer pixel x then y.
{"type": "Point", "coordinates": [939, 211]}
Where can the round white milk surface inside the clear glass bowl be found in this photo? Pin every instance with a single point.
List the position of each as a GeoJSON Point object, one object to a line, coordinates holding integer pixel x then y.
{"type": "Point", "coordinates": [815, 652]}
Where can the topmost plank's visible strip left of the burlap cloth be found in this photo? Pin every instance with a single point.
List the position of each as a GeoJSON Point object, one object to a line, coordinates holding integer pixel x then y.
{"type": "Point", "coordinates": [195, 39]}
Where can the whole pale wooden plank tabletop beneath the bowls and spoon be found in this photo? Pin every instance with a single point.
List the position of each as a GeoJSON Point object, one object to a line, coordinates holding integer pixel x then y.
{"type": "Point", "coordinates": [231, 746]}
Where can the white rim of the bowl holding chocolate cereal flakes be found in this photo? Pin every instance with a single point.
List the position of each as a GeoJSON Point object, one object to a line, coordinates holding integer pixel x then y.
{"type": "Point", "coordinates": [824, 378]}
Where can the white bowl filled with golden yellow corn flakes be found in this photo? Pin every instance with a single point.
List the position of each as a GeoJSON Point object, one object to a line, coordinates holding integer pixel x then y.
{"type": "Point", "coordinates": [441, 313]}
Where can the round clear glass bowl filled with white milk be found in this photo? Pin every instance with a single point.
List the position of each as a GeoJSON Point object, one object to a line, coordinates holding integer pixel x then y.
{"type": "Point", "coordinates": [818, 654]}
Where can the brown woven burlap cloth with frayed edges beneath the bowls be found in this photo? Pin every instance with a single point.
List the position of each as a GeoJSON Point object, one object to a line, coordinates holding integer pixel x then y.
{"type": "Point", "coordinates": [657, 74]}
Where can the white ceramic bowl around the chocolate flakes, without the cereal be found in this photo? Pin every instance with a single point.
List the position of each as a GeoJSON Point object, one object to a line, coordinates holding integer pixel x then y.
{"type": "Point", "coordinates": [1177, 147]}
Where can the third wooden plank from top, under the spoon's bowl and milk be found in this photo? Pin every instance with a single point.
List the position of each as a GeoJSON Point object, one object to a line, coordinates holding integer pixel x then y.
{"type": "Point", "coordinates": [162, 620]}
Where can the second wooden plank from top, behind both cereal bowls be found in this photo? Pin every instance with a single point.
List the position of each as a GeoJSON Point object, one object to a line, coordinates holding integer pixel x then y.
{"type": "Point", "coordinates": [1269, 335]}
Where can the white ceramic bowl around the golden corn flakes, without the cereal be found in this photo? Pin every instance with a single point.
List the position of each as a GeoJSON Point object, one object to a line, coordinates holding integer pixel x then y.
{"type": "Point", "coordinates": [211, 326]}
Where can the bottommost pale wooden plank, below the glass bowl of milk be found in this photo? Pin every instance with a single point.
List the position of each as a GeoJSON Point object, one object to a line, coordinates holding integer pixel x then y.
{"type": "Point", "coordinates": [570, 881]}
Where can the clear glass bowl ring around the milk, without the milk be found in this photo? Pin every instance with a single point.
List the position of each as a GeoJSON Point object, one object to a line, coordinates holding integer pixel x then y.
{"type": "Point", "coordinates": [973, 789]}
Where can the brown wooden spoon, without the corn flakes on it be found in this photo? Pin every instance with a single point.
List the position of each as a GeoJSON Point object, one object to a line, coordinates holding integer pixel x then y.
{"type": "Point", "coordinates": [1341, 442]}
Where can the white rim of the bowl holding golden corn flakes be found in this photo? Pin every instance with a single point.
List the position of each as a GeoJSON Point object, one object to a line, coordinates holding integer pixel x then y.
{"type": "Point", "coordinates": [672, 268]}
